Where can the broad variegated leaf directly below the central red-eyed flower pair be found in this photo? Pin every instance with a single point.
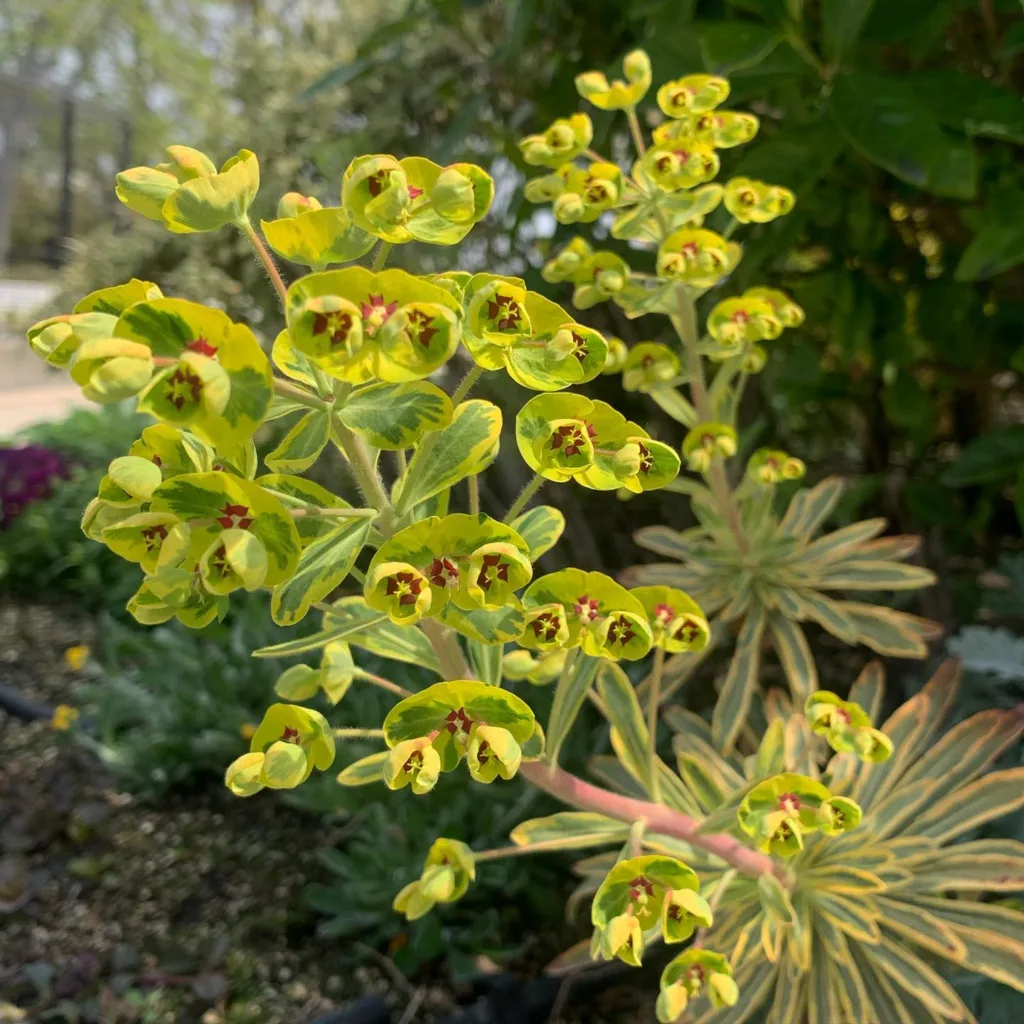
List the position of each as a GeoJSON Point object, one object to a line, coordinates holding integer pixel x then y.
{"type": "Point", "coordinates": [397, 416]}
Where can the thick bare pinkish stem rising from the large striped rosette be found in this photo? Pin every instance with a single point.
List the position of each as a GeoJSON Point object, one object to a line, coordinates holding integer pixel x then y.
{"type": "Point", "coordinates": [659, 819]}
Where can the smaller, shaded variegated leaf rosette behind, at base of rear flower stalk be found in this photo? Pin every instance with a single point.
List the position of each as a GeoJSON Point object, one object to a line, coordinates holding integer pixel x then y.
{"type": "Point", "coordinates": [786, 578]}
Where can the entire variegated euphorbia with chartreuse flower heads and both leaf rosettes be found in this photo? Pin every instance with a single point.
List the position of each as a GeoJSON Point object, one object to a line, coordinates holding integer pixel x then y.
{"type": "Point", "coordinates": [793, 846]}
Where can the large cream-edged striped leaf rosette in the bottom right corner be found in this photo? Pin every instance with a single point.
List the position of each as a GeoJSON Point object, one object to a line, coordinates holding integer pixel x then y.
{"type": "Point", "coordinates": [876, 918]}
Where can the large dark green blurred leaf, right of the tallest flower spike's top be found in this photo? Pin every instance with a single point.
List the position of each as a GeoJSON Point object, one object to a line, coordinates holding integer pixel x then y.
{"type": "Point", "coordinates": [883, 119]}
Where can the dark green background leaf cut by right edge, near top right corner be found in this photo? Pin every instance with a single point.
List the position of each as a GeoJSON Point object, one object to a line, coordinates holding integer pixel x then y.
{"type": "Point", "coordinates": [970, 104]}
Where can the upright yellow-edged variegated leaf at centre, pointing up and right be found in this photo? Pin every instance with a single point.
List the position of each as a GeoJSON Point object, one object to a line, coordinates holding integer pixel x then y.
{"type": "Point", "coordinates": [467, 446]}
